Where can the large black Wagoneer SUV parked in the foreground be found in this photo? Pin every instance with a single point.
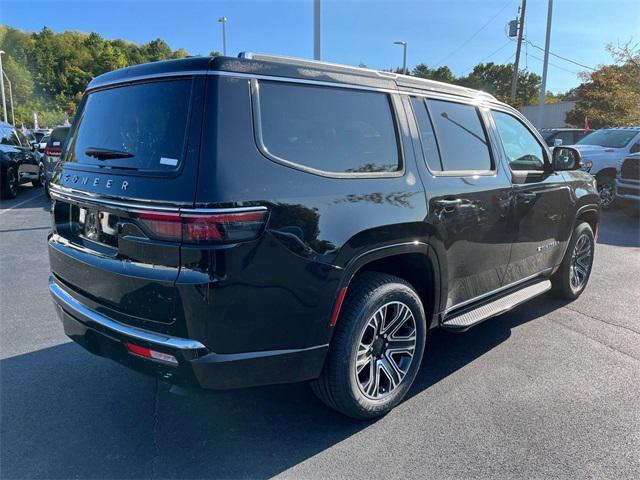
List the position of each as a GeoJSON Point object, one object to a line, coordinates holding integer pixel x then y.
{"type": "Point", "coordinates": [232, 222]}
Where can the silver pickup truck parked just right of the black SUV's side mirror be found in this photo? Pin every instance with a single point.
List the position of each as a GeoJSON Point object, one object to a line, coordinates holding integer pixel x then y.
{"type": "Point", "coordinates": [602, 153]}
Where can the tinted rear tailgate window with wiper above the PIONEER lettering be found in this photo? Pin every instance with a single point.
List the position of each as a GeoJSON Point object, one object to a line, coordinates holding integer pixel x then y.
{"type": "Point", "coordinates": [138, 127]}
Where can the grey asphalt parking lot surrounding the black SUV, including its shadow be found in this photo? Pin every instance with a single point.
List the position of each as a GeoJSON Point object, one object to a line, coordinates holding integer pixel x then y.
{"type": "Point", "coordinates": [548, 390]}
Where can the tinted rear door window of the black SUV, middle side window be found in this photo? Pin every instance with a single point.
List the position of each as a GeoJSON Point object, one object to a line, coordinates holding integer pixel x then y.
{"type": "Point", "coordinates": [462, 140]}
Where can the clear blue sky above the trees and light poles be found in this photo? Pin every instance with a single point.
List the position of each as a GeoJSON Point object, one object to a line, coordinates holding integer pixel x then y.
{"type": "Point", "coordinates": [437, 31]}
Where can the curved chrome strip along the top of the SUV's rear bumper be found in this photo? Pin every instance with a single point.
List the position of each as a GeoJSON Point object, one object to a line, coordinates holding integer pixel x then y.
{"type": "Point", "coordinates": [82, 313]}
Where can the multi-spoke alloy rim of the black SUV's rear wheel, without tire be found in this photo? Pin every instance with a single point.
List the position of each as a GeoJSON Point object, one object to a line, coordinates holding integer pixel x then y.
{"type": "Point", "coordinates": [385, 350]}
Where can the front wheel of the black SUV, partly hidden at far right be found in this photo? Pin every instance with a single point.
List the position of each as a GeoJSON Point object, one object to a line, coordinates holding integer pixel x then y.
{"type": "Point", "coordinates": [564, 284]}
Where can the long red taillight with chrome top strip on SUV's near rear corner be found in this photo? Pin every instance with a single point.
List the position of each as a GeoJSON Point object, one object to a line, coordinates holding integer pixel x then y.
{"type": "Point", "coordinates": [204, 228]}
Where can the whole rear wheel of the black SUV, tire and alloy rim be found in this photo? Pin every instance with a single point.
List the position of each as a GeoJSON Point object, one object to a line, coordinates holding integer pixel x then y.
{"type": "Point", "coordinates": [376, 349]}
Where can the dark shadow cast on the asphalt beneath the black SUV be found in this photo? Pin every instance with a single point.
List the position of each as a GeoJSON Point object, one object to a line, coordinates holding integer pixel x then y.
{"type": "Point", "coordinates": [66, 413]}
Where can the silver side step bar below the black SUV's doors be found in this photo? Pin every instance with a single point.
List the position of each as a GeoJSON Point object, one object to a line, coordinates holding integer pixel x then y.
{"type": "Point", "coordinates": [469, 318]}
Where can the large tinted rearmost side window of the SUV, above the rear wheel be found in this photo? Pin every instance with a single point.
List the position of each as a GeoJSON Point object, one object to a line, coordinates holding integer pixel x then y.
{"type": "Point", "coordinates": [329, 129]}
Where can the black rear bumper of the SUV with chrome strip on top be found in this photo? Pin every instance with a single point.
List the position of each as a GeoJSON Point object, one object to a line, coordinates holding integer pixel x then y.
{"type": "Point", "coordinates": [197, 365]}
